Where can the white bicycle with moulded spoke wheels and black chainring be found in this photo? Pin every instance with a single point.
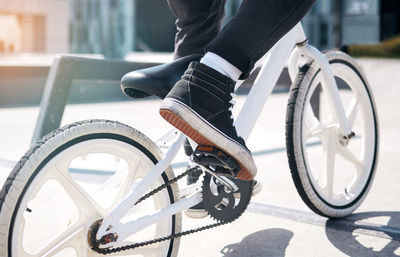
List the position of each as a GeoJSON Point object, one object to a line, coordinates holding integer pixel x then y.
{"type": "Point", "coordinates": [130, 174]}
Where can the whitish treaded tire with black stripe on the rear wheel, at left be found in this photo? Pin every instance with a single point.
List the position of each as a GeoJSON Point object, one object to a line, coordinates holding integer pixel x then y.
{"type": "Point", "coordinates": [28, 171]}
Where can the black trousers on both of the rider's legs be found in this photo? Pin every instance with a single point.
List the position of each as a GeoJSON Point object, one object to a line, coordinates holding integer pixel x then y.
{"type": "Point", "coordinates": [258, 25]}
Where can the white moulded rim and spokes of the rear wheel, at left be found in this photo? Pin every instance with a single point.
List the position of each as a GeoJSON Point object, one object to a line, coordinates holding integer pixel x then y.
{"type": "Point", "coordinates": [72, 239]}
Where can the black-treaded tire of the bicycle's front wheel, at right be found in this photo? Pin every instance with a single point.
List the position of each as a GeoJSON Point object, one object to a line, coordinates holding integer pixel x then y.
{"type": "Point", "coordinates": [298, 157]}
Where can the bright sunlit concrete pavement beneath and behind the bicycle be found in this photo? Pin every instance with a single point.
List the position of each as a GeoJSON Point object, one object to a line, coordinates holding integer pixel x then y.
{"type": "Point", "coordinates": [277, 222]}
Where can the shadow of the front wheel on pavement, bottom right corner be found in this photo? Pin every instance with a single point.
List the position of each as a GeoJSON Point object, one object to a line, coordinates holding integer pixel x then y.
{"type": "Point", "coordinates": [347, 234]}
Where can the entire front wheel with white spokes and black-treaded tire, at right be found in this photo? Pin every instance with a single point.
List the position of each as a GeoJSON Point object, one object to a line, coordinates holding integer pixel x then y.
{"type": "Point", "coordinates": [332, 175]}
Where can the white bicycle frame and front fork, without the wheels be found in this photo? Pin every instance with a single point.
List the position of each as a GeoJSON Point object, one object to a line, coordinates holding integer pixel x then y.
{"type": "Point", "coordinates": [292, 48]}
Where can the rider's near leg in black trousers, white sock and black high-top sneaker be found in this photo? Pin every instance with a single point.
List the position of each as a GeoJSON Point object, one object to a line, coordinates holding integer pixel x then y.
{"type": "Point", "coordinates": [200, 103]}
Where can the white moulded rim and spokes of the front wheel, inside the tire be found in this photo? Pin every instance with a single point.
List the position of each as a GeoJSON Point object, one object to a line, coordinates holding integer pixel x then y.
{"type": "Point", "coordinates": [346, 169]}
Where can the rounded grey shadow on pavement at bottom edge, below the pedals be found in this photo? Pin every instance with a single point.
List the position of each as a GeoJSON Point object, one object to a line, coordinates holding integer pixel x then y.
{"type": "Point", "coordinates": [264, 243]}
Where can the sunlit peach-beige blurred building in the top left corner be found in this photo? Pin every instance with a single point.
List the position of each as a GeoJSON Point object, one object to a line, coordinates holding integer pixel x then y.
{"type": "Point", "coordinates": [34, 26]}
